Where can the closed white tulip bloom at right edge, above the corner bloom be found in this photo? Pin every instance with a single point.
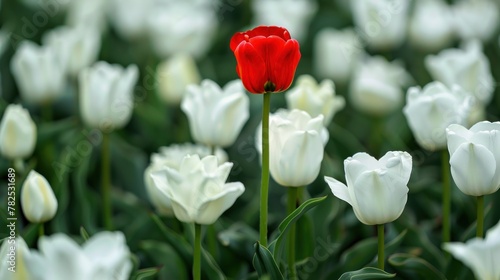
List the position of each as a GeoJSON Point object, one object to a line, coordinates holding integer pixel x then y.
{"type": "Point", "coordinates": [475, 157]}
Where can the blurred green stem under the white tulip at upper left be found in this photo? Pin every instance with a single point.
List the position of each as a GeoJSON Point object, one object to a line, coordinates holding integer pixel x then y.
{"type": "Point", "coordinates": [106, 182]}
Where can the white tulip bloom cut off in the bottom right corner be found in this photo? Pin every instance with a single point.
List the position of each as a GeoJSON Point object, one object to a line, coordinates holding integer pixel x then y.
{"type": "Point", "coordinates": [480, 255]}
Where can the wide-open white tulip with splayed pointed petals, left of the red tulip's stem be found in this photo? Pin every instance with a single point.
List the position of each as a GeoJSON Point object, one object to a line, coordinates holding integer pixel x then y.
{"type": "Point", "coordinates": [197, 190]}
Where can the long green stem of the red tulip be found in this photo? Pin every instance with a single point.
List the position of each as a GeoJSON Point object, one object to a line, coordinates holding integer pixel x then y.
{"type": "Point", "coordinates": [264, 189]}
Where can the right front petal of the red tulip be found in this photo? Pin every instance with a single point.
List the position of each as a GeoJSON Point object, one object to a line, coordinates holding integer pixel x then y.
{"type": "Point", "coordinates": [283, 65]}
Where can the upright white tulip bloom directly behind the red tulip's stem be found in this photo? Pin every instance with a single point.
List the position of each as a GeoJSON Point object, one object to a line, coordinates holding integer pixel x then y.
{"type": "Point", "coordinates": [296, 146]}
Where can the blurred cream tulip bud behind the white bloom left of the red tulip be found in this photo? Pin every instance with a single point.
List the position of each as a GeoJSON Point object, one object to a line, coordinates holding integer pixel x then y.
{"type": "Point", "coordinates": [174, 75]}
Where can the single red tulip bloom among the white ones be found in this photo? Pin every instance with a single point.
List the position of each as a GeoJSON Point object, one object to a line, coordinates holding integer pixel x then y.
{"type": "Point", "coordinates": [266, 58]}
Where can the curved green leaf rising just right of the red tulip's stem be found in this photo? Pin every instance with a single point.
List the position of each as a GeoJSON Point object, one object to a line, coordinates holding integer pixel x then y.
{"type": "Point", "coordinates": [276, 245]}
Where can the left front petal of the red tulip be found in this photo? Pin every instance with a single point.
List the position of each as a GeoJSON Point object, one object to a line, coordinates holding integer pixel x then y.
{"type": "Point", "coordinates": [251, 67]}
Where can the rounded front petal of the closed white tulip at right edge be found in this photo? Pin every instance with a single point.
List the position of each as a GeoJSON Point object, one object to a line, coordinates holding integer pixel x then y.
{"type": "Point", "coordinates": [473, 168]}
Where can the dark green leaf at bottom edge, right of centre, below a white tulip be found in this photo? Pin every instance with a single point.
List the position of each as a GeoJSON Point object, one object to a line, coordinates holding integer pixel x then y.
{"type": "Point", "coordinates": [416, 267]}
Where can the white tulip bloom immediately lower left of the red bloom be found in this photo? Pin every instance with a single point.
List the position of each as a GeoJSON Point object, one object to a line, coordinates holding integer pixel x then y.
{"type": "Point", "coordinates": [216, 116]}
